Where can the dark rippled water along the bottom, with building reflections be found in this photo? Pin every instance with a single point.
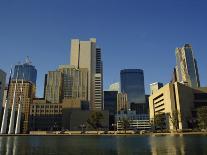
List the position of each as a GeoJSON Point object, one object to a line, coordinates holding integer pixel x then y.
{"type": "Point", "coordinates": [103, 145]}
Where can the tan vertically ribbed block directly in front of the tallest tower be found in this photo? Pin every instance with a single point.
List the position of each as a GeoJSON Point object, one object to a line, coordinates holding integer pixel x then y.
{"type": "Point", "coordinates": [75, 82]}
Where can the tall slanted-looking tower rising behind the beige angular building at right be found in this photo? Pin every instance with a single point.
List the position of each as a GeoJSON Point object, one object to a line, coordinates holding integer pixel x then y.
{"type": "Point", "coordinates": [186, 67]}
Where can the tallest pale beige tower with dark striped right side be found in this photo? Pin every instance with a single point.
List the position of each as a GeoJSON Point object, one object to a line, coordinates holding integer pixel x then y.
{"type": "Point", "coordinates": [85, 54]}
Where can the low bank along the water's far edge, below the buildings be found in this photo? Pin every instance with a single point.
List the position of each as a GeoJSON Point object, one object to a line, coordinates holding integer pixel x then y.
{"type": "Point", "coordinates": [101, 133]}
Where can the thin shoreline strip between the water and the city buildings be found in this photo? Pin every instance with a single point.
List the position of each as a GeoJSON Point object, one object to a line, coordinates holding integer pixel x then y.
{"type": "Point", "coordinates": [111, 134]}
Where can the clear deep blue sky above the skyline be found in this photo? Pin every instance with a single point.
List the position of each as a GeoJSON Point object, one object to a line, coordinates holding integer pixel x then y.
{"type": "Point", "coordinates": [132, 34]}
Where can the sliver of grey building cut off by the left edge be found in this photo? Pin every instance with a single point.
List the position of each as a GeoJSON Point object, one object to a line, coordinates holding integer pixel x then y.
{"type": "Point", "coordinates": [2, 85]}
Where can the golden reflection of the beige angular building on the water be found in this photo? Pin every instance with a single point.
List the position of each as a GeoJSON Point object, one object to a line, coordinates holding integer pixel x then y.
{"type": "Point", "coordinates": [167, 145]}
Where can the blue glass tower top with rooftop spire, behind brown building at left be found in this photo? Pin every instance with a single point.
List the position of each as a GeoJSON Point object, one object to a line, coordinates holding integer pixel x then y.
{"type": "Point", "coordinates": [25, 71]}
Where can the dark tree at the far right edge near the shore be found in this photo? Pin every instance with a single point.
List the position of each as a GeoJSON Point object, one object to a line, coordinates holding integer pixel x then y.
{"type": "Point", "coordinates": [202, 117]}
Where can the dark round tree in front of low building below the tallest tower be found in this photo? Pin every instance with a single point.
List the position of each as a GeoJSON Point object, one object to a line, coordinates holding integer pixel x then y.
{"type": "Point", "coordinates": [95, 120]}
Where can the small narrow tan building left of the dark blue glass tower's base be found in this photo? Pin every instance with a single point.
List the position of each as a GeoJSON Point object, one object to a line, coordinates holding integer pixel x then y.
{"type": "Point", "coordinates": [122, 102]}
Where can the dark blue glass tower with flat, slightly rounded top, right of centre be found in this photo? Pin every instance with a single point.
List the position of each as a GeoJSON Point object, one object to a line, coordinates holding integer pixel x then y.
{"type": "Point", "coordinates": [132, 83]}
